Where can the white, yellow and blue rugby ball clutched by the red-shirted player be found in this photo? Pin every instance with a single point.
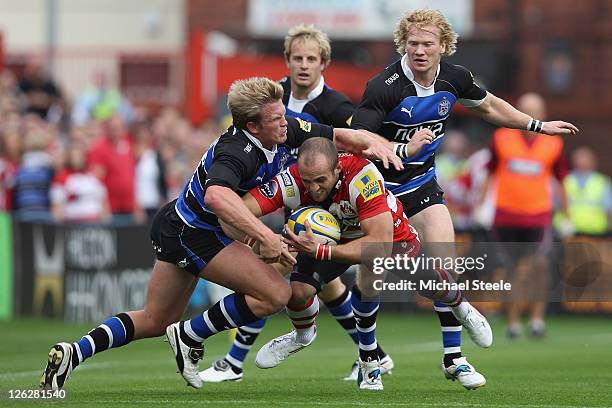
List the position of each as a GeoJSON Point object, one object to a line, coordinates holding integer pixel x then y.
{"type": "Point", "coordinates": [324, 225]}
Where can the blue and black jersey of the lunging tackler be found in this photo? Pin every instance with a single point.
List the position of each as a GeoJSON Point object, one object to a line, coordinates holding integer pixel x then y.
{"type": "Point", "coordinates": [237, 160]}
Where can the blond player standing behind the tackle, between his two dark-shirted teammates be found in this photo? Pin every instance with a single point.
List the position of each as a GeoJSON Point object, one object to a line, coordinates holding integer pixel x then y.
{"type": "Point", "coordinates": [306, 96]}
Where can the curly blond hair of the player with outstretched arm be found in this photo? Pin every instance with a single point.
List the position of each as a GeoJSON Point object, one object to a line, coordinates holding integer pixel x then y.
{"type": "Point", "coordinates": [420, 19]}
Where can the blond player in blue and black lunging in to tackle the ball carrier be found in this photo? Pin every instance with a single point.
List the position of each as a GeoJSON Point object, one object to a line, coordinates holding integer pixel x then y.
{"type": "Point", "coordinates": [189, 242]}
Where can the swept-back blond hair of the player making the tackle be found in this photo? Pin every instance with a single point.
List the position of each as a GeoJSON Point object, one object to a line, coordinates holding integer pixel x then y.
{"type": "Point", "coordinates": [247, 97]}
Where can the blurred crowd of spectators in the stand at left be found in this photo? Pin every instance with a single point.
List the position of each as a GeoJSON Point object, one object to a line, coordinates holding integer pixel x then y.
{"type": "Point", "coordinates": [95, 159]}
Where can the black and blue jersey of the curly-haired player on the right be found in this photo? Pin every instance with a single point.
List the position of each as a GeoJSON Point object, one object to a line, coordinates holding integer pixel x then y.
{"type": "Point", "coordinates": [396, 107]}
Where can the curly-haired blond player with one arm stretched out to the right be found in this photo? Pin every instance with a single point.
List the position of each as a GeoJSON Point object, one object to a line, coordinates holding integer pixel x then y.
{"type": "Point", "coordinates": [416, 94]}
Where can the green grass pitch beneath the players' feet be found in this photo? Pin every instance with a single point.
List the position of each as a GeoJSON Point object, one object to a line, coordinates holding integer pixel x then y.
{"type": "Point", "coordinates": [571, 367]}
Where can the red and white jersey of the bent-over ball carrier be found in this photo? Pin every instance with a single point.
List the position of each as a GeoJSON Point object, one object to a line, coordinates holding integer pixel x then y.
{"type": "Point", "coordinates": [360, 194]}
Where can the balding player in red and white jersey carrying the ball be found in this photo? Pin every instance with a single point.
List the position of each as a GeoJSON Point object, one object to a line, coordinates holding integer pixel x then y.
{"type": "Point", "coordinates": [352, 190]}
